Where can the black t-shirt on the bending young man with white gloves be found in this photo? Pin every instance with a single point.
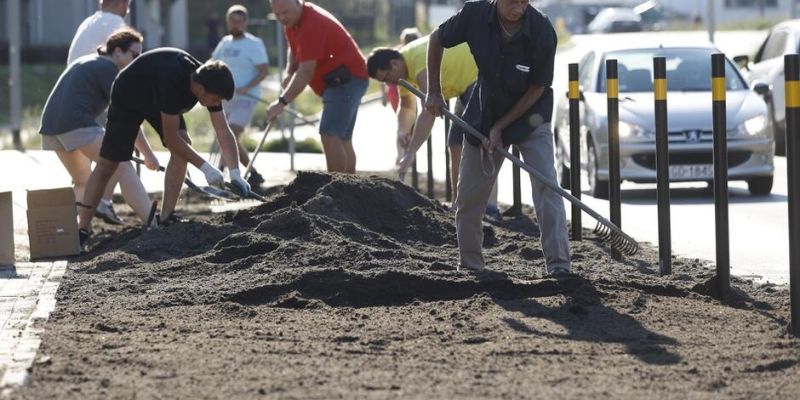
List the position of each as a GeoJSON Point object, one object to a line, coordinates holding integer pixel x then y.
{"type": "Point", "coordinates": [157, 82]}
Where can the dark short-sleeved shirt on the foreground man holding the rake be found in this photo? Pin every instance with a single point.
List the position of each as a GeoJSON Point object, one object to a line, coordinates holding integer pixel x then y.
{"type": "Point", "coordinates": [505, 68]}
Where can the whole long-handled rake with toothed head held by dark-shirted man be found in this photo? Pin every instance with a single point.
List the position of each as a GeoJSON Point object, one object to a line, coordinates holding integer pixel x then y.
{"type": "Point", "coordinates": [605, 229]}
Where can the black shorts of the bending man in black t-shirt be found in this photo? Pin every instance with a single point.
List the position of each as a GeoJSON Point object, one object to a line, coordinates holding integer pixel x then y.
{"type": "Point", "coordinates": [122, 128]}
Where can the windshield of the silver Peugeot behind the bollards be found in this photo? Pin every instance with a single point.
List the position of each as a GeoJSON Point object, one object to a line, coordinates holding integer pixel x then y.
{"type": "Point", "coordinates": [688, 70]}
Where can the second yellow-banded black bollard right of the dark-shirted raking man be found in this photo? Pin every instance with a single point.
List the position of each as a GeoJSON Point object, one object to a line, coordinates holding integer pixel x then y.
{"type": "Point", "coordinates": [612, 92]}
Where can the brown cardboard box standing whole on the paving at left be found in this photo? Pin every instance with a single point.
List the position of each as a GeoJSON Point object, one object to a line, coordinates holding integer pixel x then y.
{"type": "Point", "coordinates": [53, 223]}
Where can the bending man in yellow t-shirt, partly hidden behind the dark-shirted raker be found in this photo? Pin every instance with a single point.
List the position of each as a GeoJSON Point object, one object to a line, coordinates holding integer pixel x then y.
{"type": "Point", "coordinates": [458, 75]}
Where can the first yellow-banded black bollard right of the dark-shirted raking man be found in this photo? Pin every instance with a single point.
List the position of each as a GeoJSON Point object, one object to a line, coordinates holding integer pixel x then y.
{"type": "Point", "coordinates": [575, 148]}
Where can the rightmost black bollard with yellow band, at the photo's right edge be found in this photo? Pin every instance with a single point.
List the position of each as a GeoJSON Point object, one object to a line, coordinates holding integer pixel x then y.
{"type": "Point", "coordinates": [792, 72]}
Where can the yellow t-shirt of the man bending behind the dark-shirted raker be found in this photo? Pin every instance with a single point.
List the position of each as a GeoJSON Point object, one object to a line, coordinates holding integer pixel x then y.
{"type": "Point", "coordinates": [458, 67]}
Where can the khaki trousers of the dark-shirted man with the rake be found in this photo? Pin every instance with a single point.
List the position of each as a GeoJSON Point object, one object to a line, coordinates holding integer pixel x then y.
{"type": "Point", "coordinates": [475, 182]}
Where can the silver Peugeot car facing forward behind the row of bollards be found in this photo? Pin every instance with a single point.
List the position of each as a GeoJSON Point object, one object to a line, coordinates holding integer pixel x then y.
{"type": "Point", "coordinates": [750, 141]}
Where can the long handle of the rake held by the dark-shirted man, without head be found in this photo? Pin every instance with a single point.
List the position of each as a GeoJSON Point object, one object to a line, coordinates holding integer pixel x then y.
{"type": "Point", "coordinates": [536, 174]}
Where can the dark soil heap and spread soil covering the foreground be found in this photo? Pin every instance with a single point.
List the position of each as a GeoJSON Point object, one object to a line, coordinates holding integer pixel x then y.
{"type": "Point", "coordinates": [343, 286]}
